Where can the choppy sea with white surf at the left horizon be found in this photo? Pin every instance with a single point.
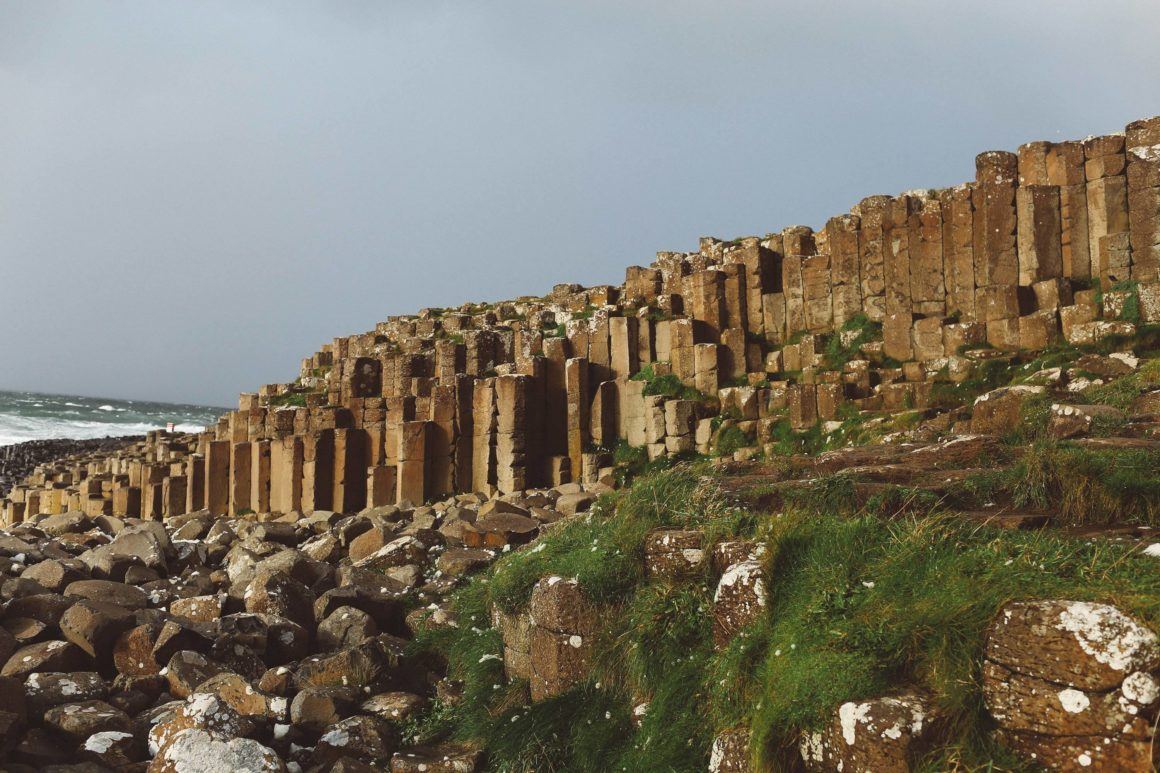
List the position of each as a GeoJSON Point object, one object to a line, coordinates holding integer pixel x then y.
{"type": "Point", "coordinates": [33, 416]}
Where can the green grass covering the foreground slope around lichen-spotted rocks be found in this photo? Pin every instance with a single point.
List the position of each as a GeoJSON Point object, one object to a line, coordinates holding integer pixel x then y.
{"type": "Point", "coordinates": [858, 606]}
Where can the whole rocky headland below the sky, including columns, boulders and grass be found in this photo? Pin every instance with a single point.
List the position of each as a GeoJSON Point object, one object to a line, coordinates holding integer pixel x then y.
{"type": "Point", "coordinates": [879, 497]}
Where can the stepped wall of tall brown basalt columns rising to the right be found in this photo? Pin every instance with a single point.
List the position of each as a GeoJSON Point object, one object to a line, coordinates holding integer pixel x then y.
{"type": "Point", "coordinates": [1060, 241]}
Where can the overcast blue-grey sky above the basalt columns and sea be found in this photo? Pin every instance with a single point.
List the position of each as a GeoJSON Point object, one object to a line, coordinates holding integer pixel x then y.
{"type": "Point", "coordinates": [195, 196]}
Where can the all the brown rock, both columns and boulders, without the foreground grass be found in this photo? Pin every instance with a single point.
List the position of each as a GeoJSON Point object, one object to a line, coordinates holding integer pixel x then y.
{"type": "Point", "coordinates": [251, 596]}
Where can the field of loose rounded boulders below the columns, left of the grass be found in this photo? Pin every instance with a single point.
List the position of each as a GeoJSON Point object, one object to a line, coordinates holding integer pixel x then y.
{"type": "Point", "coordinates": [264, 642]}
